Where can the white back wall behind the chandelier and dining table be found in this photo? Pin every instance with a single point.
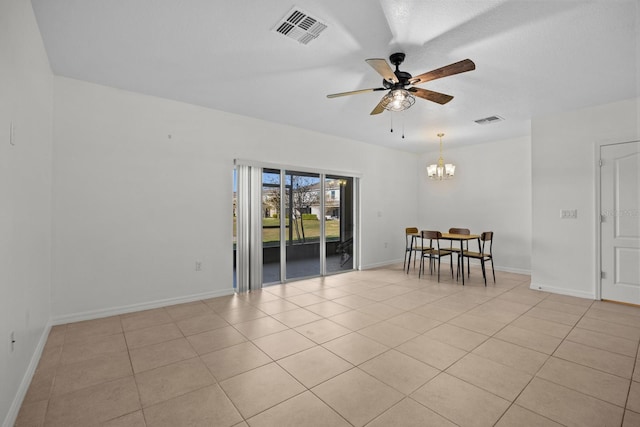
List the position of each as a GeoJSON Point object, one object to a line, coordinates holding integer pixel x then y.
{"type": "Point", "coordinates": [491, 191]}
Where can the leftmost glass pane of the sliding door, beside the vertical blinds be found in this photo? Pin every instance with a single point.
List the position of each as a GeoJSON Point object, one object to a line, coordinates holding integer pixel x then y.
{"type": "Point", "coordinates": [270, 226]}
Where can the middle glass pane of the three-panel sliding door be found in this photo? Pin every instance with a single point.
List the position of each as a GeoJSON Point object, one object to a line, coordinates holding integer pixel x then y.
{"type": "Point", "coordinates": [302, 203]}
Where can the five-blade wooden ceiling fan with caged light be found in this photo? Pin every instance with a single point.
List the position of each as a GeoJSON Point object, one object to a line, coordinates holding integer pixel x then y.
{"type": "Point", "coordinates": [399, 97]}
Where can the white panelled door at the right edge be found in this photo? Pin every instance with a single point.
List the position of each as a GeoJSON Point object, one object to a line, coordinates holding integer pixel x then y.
{"type": "Point", "coordinates": [620, 217]}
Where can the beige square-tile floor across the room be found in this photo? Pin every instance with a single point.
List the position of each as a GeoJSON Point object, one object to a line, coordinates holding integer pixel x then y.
{"type": "Point", "coordinates": [374, 348]}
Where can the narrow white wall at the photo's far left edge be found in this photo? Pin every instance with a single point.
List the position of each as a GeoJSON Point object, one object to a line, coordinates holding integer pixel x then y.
{"type": "Point", "coordinates": [25, 200]}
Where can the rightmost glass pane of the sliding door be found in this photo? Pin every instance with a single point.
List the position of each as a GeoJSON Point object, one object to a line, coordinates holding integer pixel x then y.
{"type": "Point", "coordinates": [339, 224]}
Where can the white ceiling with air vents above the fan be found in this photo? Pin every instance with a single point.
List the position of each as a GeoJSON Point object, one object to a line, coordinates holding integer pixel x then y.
{"type": "Point", "coordinates": [532, 58]}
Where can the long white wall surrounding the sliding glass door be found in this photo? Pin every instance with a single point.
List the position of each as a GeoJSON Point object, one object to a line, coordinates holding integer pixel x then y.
{"type": "Point", "coordinates": [134, 209]}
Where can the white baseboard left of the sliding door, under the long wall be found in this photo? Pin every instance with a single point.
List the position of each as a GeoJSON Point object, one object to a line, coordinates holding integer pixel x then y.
{"type": "Point", "coordinates": [113, 311]}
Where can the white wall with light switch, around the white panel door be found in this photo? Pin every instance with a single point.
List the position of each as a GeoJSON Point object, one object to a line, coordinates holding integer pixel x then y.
{"type": "Point", "coordinates": [564, 170]}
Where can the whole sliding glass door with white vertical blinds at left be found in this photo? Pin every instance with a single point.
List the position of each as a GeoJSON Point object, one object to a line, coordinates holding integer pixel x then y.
{"type": "Point", "coordinates": [296, 224]}
